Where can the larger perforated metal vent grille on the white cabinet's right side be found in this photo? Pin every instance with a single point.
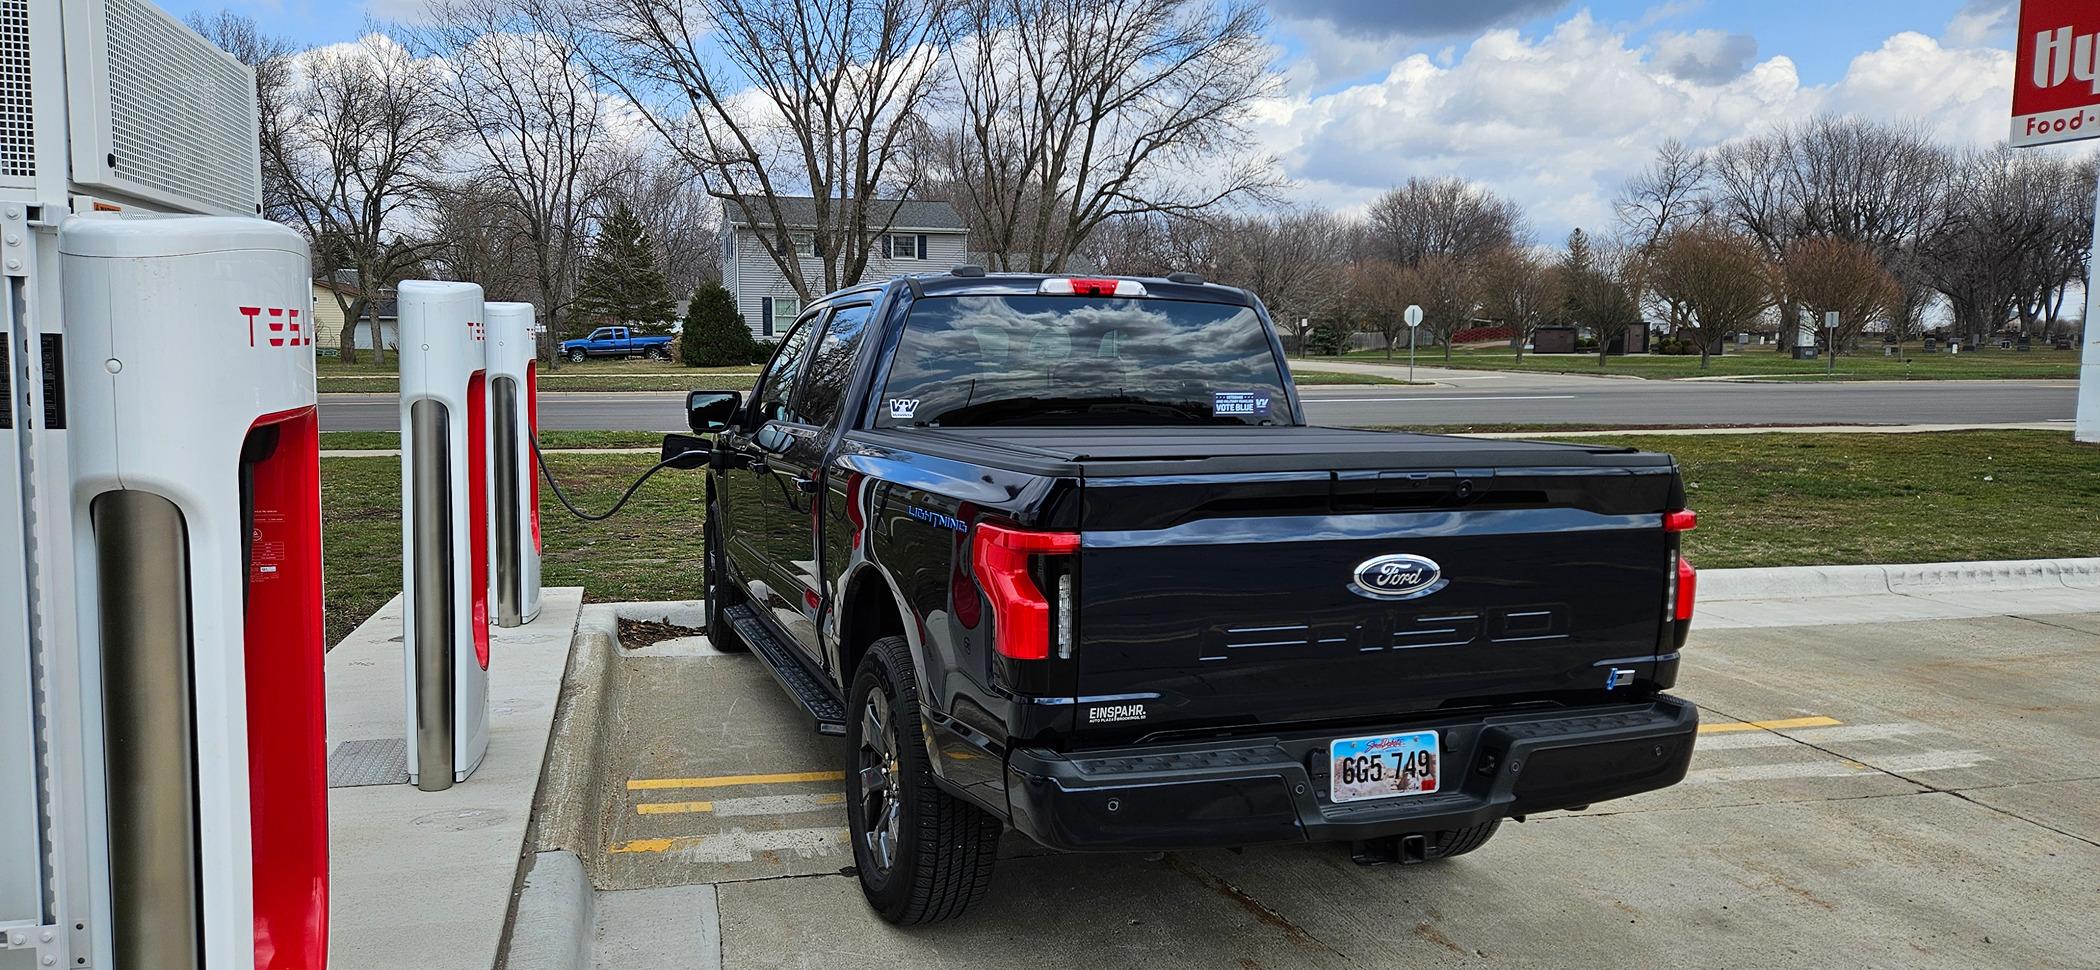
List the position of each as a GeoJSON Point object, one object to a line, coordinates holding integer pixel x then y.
{"type": "Point", "coordinates": [182, 114]}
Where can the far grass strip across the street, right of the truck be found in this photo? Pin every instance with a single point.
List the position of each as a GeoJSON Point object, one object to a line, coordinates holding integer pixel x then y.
{"type": "Point", "coordinates": [1990, 364]}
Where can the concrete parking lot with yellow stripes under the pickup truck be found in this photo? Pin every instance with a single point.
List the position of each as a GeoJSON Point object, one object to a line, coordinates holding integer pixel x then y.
{"type": "Point", "coordinates": [1881, 795]}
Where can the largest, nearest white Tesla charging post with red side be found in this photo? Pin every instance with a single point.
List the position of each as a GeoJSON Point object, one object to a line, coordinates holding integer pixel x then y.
{"type": "Point", "coordinates": [198, 576]}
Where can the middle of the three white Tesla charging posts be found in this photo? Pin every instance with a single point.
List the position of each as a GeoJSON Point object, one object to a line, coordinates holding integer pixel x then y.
{"type": "Point", "coordinates": [444, 530]}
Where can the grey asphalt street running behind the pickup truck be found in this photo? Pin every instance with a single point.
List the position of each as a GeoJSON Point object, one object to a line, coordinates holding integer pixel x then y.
{"type": "Point", "coordinates": [1458, 398]}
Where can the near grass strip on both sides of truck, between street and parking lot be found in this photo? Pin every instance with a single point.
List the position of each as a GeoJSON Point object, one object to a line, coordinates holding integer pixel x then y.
{"type": "Point", "coordinates": [1763, 501]}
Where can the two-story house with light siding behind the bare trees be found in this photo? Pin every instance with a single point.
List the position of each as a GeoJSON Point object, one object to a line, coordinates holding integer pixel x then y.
{"type": "Point", "coordinates": [923, 238]}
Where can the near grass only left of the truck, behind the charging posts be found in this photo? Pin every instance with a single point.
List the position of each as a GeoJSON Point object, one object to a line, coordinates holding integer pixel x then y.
{"type": "Point", "coordinates": [648, 553]}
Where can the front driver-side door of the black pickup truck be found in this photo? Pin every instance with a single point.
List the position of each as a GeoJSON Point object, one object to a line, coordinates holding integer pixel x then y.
{"type": "Point", "coordinates": [751, 488]}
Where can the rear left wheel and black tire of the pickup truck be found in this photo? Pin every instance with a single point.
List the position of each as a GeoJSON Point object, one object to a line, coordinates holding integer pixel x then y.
{"type": "Point", "coordinates": [923, 856]}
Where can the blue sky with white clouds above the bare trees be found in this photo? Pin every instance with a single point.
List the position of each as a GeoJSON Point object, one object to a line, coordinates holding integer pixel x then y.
{"type": "Point", "coordinates": [1545, 102]}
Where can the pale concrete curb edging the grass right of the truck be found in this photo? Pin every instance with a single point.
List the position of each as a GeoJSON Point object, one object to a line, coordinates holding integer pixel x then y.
{"type": "Point", "coordinates": [1902, 578]}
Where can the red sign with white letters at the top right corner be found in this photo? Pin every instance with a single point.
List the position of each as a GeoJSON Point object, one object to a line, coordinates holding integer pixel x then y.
{"type": "Point", "coordinates": [2057, 72]}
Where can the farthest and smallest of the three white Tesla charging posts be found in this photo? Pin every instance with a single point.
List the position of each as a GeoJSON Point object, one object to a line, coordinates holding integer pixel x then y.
{"type": "Point", "coordinates": [513, 478]}
